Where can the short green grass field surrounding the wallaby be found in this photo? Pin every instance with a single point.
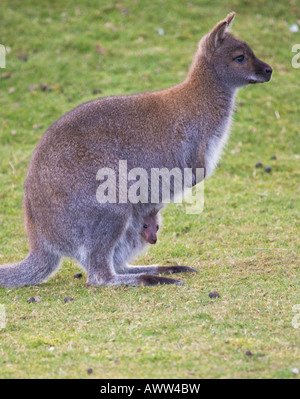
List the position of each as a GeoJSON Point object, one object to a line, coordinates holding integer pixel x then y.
{"type": "Point", "coordinates": [245, 243]}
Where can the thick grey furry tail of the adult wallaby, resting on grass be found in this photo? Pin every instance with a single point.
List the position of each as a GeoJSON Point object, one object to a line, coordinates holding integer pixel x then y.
{"type": "Point", "coordinates": [34, 269]}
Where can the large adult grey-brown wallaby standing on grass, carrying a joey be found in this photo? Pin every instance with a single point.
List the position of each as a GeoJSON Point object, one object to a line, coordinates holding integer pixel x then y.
{"type": "Point", "coordinates": [185, 126]}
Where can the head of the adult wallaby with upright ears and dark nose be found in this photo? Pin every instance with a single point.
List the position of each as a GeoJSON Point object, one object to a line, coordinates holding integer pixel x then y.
{"type": "Point", "coordinates": [233, 60]}
